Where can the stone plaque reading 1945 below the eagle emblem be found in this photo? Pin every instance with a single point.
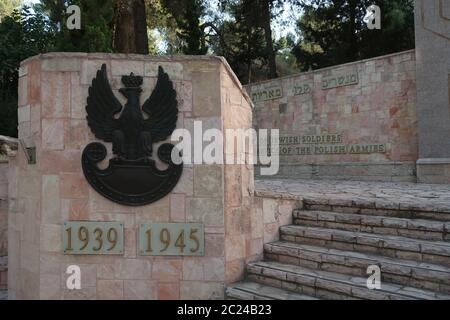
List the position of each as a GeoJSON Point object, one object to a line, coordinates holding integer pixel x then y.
{"type": "Point", "coordinates": [171, 239]}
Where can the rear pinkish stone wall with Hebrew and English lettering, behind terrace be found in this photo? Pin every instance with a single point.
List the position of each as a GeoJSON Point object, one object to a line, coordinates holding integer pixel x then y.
{"type": "Point", "coordinates": [353, 121]}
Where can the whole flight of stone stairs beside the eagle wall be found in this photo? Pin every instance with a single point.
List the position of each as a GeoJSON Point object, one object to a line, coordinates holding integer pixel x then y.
{"type": "Point", "coordinates": [326, 252]}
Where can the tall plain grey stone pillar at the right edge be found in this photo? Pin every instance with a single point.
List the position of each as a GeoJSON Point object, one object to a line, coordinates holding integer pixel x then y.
{"type": "Point", "coordinates": [432, 27]}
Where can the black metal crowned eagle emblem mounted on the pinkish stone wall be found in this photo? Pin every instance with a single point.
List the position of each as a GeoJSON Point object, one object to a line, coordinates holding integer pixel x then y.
{"type": "Point", "coordinates": [131, 177]}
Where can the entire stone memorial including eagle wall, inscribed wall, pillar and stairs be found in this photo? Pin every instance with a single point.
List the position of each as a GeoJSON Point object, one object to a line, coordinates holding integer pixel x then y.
{"type": "Point", "coordinates": [96, 207]}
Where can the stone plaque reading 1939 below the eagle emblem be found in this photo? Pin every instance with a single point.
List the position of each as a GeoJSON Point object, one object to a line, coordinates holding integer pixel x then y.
{"type": "Point", "coordinates": [93, 237]}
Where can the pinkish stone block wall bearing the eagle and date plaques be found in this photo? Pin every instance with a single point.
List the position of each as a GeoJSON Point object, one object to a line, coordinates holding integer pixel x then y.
{"type": "Point", "coordinates": [52, 95]}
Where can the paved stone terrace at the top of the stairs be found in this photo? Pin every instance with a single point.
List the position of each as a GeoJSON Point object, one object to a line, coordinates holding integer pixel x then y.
{"type": "Point", "coordinates": [406, 196]}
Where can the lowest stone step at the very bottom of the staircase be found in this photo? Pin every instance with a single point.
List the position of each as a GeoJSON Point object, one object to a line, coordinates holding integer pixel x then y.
{"type": "Point", "coordinates": [247, 290]}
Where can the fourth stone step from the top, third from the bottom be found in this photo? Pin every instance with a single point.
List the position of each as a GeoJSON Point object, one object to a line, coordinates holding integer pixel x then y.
{"type": "Point", "coordinates": [409, 273]}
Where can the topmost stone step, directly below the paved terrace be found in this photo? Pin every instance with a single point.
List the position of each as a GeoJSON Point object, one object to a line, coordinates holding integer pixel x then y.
{"type": "Point", "coordinates": [413, 210]}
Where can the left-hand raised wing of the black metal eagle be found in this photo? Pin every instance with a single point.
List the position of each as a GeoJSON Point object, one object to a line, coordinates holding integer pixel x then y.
{"type": "Point", "coordinates": [101, 107]}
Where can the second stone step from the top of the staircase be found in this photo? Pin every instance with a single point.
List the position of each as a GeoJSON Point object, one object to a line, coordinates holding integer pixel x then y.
{"type": "Point", "coordinates": [414, 228]}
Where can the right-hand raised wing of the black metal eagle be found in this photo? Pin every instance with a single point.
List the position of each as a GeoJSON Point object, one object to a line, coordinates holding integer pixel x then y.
{"type": "Point", "coordinates": [161, 108]}
